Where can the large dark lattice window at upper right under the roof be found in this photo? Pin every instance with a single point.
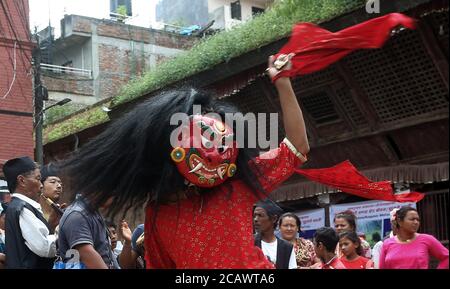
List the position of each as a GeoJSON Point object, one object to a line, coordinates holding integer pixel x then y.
{"type": "Point", "coordinates": [400, 79]}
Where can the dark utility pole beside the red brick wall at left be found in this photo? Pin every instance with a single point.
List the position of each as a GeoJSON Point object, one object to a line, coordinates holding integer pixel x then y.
{"type": "Point", "coordinates": [38, 103]}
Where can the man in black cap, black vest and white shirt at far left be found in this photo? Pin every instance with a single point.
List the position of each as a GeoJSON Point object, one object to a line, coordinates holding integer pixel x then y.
{"type": "Point", "coordinates": [30, 243]}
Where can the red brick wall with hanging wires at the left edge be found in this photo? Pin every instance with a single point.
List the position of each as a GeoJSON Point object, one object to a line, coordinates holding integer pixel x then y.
{"type": "Point", "coordinates": [16, 131]}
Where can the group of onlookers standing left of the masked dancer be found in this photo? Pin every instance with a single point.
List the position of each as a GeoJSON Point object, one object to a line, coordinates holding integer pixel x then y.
{"type": "Point", "coordinates": [36, 231]}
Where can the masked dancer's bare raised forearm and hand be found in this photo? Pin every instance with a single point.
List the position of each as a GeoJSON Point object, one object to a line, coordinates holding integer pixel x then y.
{"type": "Point", "coordinates": [293, 121]}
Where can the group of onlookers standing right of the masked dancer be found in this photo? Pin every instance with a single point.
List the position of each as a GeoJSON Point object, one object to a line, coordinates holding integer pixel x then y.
{"type": "Point", "coordinates": [341, 247]}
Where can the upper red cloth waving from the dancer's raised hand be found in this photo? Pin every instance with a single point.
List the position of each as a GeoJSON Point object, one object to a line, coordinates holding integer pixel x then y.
{"type": "Point", "coordinates": [315, 48]}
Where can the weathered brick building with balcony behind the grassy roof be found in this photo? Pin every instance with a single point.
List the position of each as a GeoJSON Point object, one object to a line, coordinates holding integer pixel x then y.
{"type": "Point", "coordinates": [94, 58]}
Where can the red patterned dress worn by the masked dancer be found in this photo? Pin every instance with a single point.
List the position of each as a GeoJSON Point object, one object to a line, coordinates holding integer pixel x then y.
{"type": "Point", "coordinates": [215, 230]}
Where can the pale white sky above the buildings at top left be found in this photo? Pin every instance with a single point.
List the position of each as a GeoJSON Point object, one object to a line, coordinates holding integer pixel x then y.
{"type": "Point", "coordinates": [43, 11]}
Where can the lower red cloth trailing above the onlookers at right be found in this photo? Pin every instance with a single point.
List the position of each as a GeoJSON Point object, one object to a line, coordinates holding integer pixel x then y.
{"type": "Point", "coordinates": [348, 179]}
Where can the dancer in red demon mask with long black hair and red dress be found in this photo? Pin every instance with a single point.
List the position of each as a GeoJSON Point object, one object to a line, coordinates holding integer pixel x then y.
{"type": "Point", "coordinates": [201, 187]}
